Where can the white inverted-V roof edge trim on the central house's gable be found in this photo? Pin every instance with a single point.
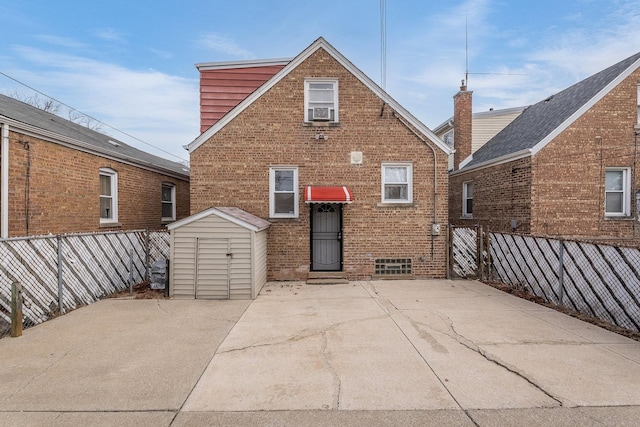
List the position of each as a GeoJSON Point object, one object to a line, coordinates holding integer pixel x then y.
{"type": "Point", "coordinates": [320, 43]}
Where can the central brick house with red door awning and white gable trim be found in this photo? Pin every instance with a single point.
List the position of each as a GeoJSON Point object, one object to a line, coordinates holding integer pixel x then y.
{"type": "Point", "coordinates": [354, 186]}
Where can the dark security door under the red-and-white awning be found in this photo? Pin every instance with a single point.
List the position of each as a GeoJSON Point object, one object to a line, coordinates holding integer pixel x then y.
{"type": "Point", "coordinates": [326, 237]}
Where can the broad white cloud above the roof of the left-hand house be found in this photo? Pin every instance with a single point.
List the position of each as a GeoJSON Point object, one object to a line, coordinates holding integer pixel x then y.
{"type": "Point", "coordinates": [155, 107]}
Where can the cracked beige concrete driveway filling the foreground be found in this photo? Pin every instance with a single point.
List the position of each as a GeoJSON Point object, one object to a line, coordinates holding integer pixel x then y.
{"type": "Point", "coordinates": [417, 352]}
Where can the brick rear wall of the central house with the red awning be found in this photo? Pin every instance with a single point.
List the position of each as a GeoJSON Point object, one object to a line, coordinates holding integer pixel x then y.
{"type": "Point", "coordinates": [232, 169]}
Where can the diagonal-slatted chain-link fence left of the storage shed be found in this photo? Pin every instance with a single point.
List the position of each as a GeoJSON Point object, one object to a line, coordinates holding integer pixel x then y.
{"type": "Point", "coordinates": [61, 273]}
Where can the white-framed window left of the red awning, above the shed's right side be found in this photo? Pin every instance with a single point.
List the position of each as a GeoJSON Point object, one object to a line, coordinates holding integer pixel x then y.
{"type": "Point", "coordinates": [283, 192]}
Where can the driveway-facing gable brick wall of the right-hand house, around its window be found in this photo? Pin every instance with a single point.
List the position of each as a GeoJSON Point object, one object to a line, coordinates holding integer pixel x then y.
{"type": "Point", "coordinates": [568, 196]}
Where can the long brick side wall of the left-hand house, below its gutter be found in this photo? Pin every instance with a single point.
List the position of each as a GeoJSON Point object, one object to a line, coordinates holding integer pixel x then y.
{"type": "Point", "coordinates": [63, 190]}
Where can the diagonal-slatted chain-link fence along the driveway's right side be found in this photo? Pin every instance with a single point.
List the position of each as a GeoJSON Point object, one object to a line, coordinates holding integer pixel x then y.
{"type": "Point", "coordinates": [598, 280]}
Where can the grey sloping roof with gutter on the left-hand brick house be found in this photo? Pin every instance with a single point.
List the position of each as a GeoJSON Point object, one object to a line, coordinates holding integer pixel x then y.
{"type": "Point", "coordinates": [42, 124]}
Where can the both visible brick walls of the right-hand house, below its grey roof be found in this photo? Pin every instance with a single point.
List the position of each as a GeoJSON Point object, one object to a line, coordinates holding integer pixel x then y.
{"type": "Point", "coordinates": [560, 190]}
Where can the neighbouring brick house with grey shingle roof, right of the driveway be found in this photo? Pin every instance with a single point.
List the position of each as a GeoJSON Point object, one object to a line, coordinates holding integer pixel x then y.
{"type": "Point", "coordinates": [565, 167]}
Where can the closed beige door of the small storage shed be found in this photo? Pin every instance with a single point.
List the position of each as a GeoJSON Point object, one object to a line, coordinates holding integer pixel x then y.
{"type": "Point", "coordinates": [212, 268]}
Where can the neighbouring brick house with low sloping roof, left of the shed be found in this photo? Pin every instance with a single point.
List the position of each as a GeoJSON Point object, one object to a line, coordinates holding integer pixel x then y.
{"type": "Point", "coordinates": [61, 177]}
